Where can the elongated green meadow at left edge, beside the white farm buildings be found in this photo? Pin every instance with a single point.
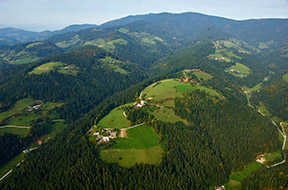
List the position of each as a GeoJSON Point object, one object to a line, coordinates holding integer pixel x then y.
{"type": "Point", "coordinates": [19, 106]}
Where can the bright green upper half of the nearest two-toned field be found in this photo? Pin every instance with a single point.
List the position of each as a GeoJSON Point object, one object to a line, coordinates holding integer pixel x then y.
{"type": "Point", "coordinates": [141, 137]}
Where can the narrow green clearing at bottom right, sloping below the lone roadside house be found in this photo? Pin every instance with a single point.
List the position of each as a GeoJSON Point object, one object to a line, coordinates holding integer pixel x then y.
{"type": "Point", "coordinates": [237, 177]}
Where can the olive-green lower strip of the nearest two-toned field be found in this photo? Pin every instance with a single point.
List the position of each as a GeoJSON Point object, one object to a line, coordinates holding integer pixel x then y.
{"type": "Point", "coordinates": [129, 157]}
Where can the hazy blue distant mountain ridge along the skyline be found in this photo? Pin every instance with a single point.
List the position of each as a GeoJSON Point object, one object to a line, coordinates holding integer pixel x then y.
{"type": "Point", "coordinates": [192, 25]}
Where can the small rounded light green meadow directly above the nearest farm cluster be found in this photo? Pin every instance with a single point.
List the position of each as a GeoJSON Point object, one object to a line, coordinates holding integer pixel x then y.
{"type": "Point", "coordinates": [115, 119]}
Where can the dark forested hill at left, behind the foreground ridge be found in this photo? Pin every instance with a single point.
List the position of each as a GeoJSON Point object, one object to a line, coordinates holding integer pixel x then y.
{"type": "Point", "coordinates": [80, 93]}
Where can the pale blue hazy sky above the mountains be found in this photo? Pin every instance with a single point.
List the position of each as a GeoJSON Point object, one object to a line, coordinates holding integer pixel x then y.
{"type": "Point", "coordinates": [39, 15]}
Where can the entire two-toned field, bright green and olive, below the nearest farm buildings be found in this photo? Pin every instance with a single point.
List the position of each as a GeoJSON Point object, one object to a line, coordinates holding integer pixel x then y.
{"type": "Point", "coordinates": [141, 146]}
